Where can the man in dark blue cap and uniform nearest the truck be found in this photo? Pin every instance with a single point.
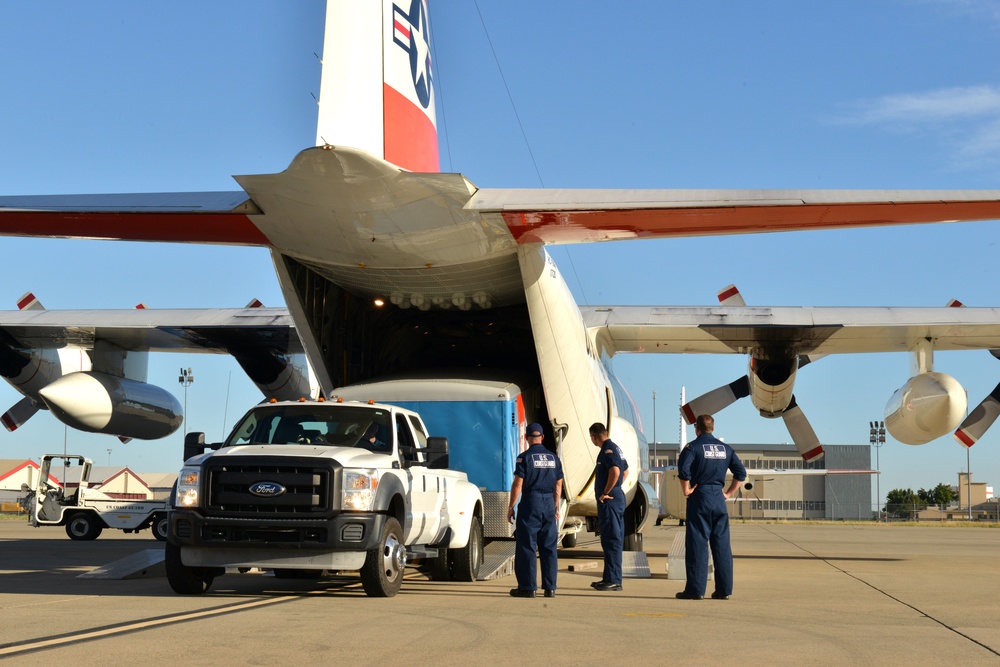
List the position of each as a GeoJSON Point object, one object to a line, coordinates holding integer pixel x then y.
{"type": "Point", "coordinates": [538, 482]}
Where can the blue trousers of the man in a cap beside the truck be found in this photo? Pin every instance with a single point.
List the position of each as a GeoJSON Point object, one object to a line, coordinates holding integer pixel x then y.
{"type": "Point", "coordinates": [536, 530]}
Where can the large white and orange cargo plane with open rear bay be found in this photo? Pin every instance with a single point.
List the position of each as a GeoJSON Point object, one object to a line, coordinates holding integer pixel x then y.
{"type": "Point", "coordinates": [469, 284]}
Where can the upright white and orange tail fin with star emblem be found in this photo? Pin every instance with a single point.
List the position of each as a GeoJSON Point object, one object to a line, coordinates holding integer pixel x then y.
{"type": "Point", "coordinates": [376, 90]}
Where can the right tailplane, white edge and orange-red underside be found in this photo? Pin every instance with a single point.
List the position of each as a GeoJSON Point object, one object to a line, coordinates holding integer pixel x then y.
{"type": "Point", "coordinates": [553, 216]}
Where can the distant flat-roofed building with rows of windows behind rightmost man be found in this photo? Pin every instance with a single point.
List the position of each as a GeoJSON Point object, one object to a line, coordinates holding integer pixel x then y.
{"type": "Point", "coordinates": [794, 496]}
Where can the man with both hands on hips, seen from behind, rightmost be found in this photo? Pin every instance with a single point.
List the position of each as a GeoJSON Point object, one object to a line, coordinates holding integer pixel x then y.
{"type": "Point", "coordinates": [702, 468]}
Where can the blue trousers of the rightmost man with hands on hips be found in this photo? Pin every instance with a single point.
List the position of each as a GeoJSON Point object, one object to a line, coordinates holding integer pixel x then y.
{"type": "Point", "coordinates": [708, 524]}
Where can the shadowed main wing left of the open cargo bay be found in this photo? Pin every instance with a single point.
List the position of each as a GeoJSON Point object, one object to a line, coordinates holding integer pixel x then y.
{"type": "Point", "coordinates": [176, 330]}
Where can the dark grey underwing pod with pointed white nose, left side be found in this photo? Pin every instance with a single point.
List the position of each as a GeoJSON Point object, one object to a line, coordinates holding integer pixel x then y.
{"type": "Point", "coordinates": [102, 403]}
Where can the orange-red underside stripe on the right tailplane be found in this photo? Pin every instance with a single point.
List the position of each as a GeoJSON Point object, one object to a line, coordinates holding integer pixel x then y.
{"type": "Point", "coordinates": [564, 226]}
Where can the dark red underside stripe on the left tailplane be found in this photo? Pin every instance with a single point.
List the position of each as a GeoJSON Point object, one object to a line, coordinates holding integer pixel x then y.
{"type": "Point", "coordinates": [221, 228]}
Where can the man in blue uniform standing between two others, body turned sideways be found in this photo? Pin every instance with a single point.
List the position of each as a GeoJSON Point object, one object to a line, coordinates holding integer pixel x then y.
{"type": "Point", "coordinates": [609, 474]}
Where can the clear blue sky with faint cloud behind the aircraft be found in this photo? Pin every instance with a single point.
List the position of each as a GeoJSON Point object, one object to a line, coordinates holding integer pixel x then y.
{"type": "Point", "coordinates": [173, 96]}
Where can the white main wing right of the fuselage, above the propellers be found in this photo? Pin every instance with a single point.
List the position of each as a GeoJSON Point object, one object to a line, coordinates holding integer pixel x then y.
{"type": "Point", "coordinates": [793, 330]}
